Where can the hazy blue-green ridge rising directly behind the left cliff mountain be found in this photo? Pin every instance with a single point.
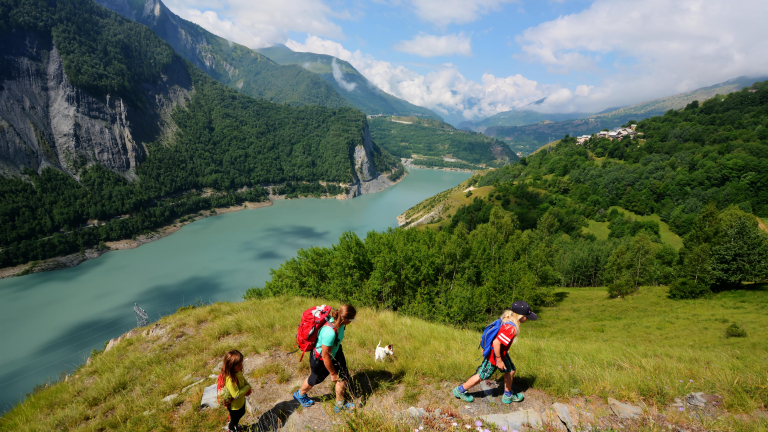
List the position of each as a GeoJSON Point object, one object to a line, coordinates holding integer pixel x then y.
{"type": "Point", "coordinates": [230, 63]}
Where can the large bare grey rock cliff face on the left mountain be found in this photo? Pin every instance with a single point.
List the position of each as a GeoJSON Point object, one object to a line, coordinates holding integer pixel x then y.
{"type": "Point", "coordinates": [46, 121]}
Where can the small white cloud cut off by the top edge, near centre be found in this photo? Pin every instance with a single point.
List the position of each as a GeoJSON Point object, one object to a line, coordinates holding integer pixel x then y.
{"type": "Point", "coordinates": [444, 12]}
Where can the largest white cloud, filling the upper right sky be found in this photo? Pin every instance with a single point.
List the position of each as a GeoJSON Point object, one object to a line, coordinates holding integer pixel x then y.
{"type": "Point", "coordinates": [651, 49]}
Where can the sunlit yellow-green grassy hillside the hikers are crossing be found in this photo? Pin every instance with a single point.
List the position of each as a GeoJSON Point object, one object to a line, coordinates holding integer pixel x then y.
{"type": "Point", "coordinates": [617, 350]}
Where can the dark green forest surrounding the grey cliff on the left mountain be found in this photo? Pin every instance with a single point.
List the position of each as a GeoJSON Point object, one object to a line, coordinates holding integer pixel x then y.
{"type": "Point", "coordinates": [225, 140]}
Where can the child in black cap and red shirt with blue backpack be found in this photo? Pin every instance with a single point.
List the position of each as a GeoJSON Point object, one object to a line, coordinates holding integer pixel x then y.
{"type": "Point", "coordinates": [497, 338]}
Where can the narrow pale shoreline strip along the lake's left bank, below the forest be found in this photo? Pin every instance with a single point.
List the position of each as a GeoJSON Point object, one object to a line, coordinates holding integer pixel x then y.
{"type": "Point", "coordinates": [75, 259]}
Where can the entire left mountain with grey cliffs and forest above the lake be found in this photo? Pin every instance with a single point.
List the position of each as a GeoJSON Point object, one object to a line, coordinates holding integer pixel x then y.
{"type": "Point", "coordinates": [91, 100]}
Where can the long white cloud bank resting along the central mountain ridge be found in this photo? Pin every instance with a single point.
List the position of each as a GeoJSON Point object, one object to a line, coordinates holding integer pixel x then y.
{"type": "Point", "coordinates": [446, 90]}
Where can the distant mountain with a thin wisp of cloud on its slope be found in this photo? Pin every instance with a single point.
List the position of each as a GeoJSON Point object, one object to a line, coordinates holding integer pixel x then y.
{"type": "Point", "coordinates": [350, 83]}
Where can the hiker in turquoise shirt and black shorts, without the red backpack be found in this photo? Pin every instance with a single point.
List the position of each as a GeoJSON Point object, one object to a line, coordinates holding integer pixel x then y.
{"type": "Point", "coordinates": [327, 358]}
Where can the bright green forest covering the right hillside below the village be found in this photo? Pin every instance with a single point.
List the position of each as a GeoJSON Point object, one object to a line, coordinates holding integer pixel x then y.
{"type": "Point", "coordinates": [703, 170]}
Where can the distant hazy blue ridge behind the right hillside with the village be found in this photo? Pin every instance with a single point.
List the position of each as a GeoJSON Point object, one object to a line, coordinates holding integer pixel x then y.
{"type": "Point", "coordinates": [527, 138]}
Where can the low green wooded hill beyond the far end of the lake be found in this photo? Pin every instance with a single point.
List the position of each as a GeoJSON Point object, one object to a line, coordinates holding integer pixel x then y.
{"type": "Point", "coordinates": [435, 139]}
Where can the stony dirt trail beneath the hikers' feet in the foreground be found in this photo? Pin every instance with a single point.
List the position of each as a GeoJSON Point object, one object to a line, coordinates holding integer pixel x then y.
{"type": "Point", "coordinates": [431, 404]}
